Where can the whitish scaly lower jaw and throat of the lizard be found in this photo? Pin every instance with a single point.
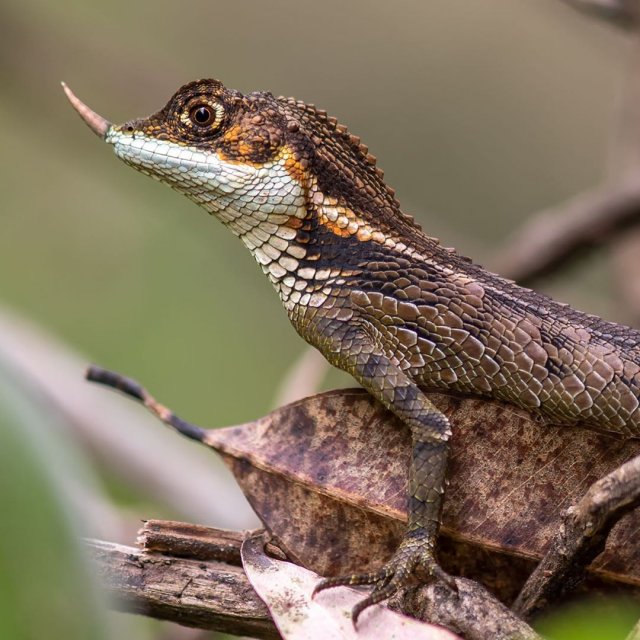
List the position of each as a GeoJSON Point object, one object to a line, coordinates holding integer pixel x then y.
{"type": "Point", "coordinates": [263, 205]}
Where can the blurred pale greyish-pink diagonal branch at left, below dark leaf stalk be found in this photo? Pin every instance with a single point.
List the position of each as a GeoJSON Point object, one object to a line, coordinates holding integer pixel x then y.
{"type": "Point", "coordinates": [150, 460]}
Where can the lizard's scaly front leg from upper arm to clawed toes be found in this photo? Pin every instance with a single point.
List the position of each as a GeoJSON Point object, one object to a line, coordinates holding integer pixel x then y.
{"type": "Point", "coordinates": [430, 433]}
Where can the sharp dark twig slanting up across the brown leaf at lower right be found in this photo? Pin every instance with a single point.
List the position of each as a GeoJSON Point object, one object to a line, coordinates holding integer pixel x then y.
{"type": "Point", "coordinates": [581, 538]}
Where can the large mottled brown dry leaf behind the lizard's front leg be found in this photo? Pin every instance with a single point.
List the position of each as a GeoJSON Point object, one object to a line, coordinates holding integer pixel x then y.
{"type": "Point", "coordinates": [327, 476]}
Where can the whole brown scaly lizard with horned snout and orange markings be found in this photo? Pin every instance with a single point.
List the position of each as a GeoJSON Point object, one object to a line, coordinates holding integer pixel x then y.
{"type": "Point", "coordinates": [379, 298]}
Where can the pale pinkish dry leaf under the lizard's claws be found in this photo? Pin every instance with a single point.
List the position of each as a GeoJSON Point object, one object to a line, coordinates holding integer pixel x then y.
{"type": "Point", "coordinates": [286, 590]}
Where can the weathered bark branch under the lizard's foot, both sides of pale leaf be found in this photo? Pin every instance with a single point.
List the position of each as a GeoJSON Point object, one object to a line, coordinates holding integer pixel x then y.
{"type": "Point", "coordinates": [190, 574]}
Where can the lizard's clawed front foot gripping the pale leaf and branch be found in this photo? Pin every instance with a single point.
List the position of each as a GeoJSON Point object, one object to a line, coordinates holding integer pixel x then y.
{"type": "Point", "coordinates": [413, 562]}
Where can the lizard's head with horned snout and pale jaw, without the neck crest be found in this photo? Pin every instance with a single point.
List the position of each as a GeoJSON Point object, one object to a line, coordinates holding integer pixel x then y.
{"type": "Point", "coordinates": [225, 151]}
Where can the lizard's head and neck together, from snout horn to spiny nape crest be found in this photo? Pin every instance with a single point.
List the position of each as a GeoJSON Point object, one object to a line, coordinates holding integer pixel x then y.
{"type": "Point", "coordinates": [265, 166]}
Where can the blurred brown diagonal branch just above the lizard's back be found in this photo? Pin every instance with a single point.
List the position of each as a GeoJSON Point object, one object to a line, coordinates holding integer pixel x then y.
{"type": "Point", "coordinates": [556, 236]}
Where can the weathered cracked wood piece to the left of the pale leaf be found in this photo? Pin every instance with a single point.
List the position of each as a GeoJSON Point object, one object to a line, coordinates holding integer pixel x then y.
{"type": "Point", "coordinates": [208, 594]}
